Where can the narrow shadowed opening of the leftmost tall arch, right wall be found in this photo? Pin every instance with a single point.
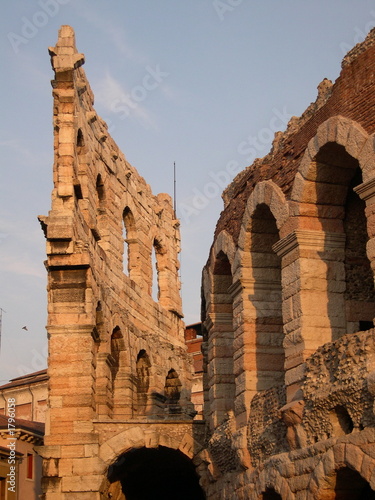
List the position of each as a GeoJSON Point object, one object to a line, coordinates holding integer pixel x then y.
{"type": "Point", "coordinates": [221, 378]}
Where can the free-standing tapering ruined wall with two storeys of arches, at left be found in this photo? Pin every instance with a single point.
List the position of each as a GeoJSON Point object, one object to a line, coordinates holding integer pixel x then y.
{"type": "Point", "coordinates": [114, 352]}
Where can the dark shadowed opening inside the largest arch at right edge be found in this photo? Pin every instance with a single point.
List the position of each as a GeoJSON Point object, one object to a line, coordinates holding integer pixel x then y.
{"type": "Point", "coordinates": [341, 212]}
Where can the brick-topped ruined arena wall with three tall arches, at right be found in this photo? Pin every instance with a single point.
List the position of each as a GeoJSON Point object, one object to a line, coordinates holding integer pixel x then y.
{"type": "Point", "coordinates": [297, 237]}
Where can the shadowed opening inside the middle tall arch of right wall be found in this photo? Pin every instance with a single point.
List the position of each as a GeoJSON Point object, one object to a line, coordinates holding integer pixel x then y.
{"type": "Point", "coordinates": [267, 300]}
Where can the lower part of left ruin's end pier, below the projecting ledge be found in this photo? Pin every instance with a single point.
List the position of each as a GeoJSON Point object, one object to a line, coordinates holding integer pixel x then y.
{"type": "Point", "coordinates": [71, 464]}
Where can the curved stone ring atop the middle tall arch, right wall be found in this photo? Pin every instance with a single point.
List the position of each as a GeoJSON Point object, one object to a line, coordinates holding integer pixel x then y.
{"type": "Point", "coordinates": [264, 193]}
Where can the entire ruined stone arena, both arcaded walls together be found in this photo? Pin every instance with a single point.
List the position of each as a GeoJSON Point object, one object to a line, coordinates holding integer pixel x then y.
{"type": "Point", "coordinates": [288, 305]}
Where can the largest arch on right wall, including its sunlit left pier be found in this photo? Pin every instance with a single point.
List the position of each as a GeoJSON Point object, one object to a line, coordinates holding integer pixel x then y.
{"type": "Point", "coordinates": [325, 205]}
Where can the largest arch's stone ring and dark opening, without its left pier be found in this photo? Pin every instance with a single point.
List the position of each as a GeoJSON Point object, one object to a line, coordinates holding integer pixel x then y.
{"type": "Point", "coordinates": [334, 166]}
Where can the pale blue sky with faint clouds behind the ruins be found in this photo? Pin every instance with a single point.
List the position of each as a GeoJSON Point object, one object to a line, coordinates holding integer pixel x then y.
{"type": "Point", "coordinates": [225, 74]}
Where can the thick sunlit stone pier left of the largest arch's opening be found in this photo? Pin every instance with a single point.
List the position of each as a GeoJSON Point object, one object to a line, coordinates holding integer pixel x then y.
{"type": "Point", "coordinates": [313, 285]}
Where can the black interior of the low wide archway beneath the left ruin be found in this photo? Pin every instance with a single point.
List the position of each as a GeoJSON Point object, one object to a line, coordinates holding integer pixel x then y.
{"type": "Point", "coordinates": [156, 474]}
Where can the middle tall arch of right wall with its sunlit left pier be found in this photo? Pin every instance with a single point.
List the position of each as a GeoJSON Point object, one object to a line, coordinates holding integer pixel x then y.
{"type": "Point", "coordinates": [258, 294]}
